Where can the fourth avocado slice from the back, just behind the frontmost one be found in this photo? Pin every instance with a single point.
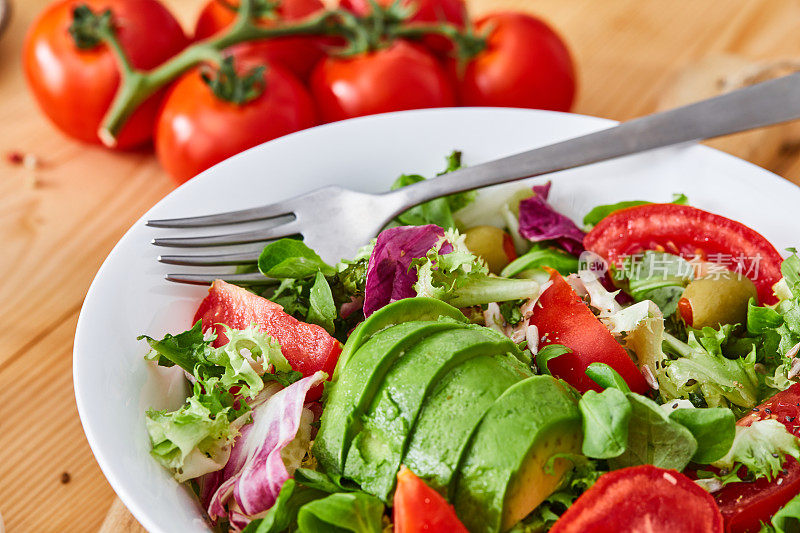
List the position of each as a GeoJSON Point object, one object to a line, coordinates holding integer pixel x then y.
{"type": "Point", "coordinates": [452, 411]}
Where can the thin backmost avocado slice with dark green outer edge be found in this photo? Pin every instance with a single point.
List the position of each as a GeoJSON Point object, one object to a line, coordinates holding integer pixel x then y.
{"type": "Point", "coordinates": [406, 310]}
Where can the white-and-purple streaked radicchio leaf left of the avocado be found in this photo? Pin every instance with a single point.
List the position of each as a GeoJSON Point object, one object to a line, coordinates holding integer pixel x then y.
{"type": "Point", "coordinates": [256, 471]}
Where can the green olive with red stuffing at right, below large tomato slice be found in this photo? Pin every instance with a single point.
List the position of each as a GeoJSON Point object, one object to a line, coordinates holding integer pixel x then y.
{"type": "Point", "coordinates": [716, 300]}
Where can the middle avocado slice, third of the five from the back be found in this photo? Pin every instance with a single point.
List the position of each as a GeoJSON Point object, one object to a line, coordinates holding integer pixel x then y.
{"type": "Point", "coordinates": [378, 444]}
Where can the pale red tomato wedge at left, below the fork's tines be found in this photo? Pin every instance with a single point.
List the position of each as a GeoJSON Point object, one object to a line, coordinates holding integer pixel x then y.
{"type": "Point", "coordinates": [307, 347]}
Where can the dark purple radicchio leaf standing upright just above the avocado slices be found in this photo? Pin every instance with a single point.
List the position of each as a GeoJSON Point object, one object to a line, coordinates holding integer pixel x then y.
{"type": "Point", "coordinates": [389, 276]}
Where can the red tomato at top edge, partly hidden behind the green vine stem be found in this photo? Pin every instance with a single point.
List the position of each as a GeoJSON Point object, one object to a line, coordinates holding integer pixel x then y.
{"type": "Point", "coordinates": [452, 11]}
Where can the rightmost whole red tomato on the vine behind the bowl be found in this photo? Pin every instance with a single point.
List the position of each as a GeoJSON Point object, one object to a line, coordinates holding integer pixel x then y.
{"type": "Point", "coordinates": [525, 64]}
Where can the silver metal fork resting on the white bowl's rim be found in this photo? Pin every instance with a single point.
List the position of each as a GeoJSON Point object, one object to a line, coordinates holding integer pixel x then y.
{"type": "Point", "coordinates": [336, 221]}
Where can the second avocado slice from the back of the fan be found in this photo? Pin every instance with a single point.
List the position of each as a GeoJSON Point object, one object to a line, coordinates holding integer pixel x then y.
{"type": "Point", "coordinates": [352, 394]}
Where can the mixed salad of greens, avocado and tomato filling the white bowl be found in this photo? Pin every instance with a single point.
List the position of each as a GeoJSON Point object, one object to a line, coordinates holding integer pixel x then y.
{"type": "Point", "coordinates": [654, 359]}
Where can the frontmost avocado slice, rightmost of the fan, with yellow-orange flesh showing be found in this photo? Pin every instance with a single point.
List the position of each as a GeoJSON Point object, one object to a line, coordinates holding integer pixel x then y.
{"type": "Point", "coordinates": [502, 476]}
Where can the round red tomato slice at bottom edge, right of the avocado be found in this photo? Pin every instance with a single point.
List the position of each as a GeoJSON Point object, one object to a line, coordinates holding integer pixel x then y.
{"type": "Point", "coordinates": [642, 499]}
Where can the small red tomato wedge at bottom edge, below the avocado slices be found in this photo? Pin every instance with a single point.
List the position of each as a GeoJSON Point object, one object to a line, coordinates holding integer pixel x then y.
{"type": "Point", "coordinates": [418, 508]}
